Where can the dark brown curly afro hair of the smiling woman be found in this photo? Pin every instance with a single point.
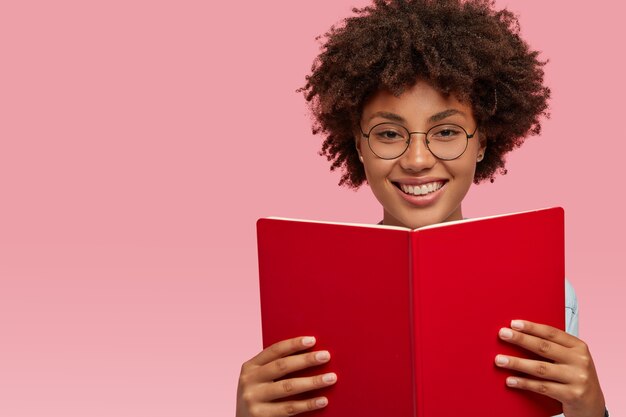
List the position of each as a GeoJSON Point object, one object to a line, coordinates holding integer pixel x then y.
{"type": "Point", "coordinates": [465, 48]}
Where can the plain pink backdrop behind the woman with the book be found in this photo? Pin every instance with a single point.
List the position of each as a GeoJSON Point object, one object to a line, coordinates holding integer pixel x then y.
{"type": "Point", "coordinates": [135, 158]}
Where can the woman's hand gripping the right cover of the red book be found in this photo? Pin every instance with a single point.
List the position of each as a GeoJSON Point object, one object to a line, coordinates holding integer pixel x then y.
{"type": "Point", "coordinates": [571, 376]}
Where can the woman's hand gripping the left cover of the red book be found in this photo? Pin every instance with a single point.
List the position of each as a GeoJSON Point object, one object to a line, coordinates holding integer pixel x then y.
{"type": "Point", "coordinates": [258, 392]}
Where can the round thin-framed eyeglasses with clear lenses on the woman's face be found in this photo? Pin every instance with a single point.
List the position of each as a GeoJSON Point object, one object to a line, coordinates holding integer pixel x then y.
{"type": "Point", "coordinates": [390, 140]}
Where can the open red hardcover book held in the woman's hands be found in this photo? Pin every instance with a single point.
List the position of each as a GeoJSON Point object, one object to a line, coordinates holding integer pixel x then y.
{"type": "Point", "coordinates": [411, 317]}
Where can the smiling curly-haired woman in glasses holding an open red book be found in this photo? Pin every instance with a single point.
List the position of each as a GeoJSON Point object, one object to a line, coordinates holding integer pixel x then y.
{"type": "Point", "coordinates": [422, 98]}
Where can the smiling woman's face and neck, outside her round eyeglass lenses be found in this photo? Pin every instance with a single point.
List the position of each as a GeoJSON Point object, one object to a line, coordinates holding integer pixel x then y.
{"type": "Point", "coordinates": [442, 184]}
